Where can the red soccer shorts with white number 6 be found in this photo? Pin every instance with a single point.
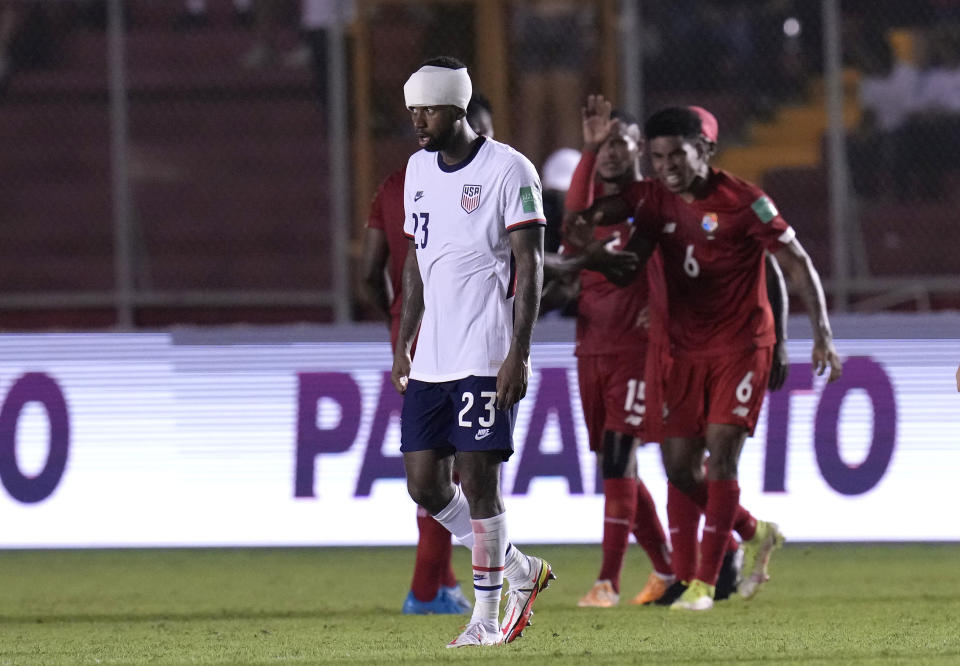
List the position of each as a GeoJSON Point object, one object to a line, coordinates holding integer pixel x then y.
{"type": "Point", "coordinates": [723, 389]}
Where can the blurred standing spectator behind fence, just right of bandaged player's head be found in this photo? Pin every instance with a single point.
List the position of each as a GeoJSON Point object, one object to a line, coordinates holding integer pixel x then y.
{"type": "Point", "coordinates": [550, 45]}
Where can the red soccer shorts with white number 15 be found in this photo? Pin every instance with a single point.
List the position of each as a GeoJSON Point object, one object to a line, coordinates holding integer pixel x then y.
{"type": "Point", "coordinates": [611, 392]}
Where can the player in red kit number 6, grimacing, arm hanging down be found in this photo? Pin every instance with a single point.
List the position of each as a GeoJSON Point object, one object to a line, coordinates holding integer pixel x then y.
{"type": "Point", "coordinates": [712, 229]}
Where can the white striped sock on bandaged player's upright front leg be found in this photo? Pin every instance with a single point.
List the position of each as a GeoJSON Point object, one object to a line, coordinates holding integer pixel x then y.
{"type": "Point", "coordinates": [490, 544]}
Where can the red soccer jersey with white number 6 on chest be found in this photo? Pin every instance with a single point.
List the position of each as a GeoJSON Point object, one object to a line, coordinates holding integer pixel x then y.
{"type": "Point", "coordinates": [713, 262]}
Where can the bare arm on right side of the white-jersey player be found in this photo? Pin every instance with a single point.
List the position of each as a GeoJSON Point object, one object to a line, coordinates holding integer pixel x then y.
{"type": "Point", "coordinates": [527, 247]}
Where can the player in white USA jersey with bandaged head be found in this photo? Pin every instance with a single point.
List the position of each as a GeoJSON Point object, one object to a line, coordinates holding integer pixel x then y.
{"type": "Point", "coordinates": [471, 286]}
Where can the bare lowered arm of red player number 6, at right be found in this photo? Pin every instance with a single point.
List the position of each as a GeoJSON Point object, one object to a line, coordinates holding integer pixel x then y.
{"type": "Point", "coordinates": [805, 279]}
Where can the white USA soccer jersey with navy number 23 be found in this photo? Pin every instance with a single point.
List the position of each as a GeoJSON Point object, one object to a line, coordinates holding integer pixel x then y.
{"type": "Point", "coordinates": [459, 218]}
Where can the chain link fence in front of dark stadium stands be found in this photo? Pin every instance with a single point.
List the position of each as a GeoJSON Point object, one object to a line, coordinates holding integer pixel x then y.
{"type": "Point", "coordinates": [213, 161]}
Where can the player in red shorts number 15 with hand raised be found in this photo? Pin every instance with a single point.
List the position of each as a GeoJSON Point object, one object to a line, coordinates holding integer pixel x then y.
{"type": "Point", "coordinates": [611, 344]}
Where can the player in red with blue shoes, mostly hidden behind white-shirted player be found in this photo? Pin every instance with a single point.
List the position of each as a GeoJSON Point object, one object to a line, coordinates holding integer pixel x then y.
{"type": "Point", "coordinates": [434, 589]}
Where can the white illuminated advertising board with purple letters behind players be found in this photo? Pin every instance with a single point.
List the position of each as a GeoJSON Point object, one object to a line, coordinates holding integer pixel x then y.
{"type": "Point", "coordinates": [263, 437]}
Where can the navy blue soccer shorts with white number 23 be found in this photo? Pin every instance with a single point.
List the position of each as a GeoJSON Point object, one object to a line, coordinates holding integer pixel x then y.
{"type": "Point", "coordinates": [458, 415]}
